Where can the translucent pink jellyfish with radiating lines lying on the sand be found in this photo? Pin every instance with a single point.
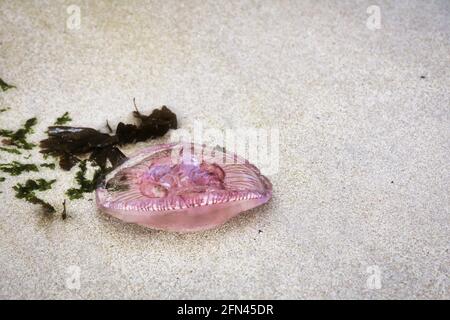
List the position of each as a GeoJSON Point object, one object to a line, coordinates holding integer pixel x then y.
{"type": "Point", "coordinates": [182, 187]}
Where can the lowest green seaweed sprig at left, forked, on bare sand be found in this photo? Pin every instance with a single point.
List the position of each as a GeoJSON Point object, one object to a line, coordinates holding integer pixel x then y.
{"type": "Point", "coordinates": [28, 190]}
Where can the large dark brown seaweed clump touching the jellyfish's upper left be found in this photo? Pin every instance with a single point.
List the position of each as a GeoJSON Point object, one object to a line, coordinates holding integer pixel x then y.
{"type": "Point", "coordinates": [71, 143]}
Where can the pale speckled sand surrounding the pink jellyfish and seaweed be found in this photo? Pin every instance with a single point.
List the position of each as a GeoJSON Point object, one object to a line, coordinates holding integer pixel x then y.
{"type": "Point", "coordinates": [361, 201]}
